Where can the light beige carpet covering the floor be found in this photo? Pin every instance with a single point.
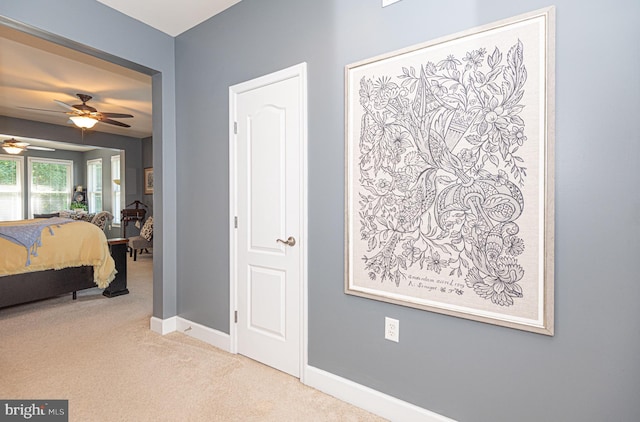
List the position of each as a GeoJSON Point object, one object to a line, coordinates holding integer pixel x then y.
{"type": "Point", "coordinates": [100, 355]}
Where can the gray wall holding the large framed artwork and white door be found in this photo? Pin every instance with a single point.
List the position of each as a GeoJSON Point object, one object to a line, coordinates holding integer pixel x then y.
{"type": "Point", "coordinates": [463, 369]}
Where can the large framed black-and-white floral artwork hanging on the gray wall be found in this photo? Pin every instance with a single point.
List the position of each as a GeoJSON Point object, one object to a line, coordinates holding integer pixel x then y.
{"type": "Point", "coordinates": [449, 175]}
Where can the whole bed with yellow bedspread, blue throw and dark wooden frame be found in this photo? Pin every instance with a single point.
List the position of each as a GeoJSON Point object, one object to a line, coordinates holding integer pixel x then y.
{"type": "Point", "coordinates": [65, 257]}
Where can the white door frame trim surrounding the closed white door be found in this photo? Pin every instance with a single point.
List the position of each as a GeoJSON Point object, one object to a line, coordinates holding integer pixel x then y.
{"type": "Point", "coordinates": [300, 71]}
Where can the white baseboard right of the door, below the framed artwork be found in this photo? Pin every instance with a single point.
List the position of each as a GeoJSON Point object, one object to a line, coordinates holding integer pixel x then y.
{"type": "Point", "coordinates": [369, 399]}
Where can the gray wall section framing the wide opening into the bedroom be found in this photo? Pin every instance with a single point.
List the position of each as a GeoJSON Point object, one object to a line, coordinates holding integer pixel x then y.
{"type": "Point", "coordinates": [124, 40]}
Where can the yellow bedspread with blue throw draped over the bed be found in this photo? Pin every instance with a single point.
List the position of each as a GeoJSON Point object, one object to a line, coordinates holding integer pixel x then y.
{"type": "Point", "coordinates": [52, 244]}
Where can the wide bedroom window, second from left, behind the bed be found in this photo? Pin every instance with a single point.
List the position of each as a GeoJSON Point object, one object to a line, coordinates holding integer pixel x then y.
{"type": "Point", "coordinates": [50, 185]}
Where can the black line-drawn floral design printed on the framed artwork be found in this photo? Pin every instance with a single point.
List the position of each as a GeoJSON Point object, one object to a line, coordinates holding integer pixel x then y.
{"type": "Point", "coordinates": [433, 205]}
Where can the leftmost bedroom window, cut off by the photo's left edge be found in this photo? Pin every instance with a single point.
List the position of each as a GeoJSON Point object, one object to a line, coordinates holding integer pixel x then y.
{"type": "Point", "coordinates": [11, 196]}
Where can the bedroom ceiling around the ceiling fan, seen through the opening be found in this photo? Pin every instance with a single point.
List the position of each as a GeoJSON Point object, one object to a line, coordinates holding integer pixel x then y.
{"type": "Point", "coordinates": [34, 73]}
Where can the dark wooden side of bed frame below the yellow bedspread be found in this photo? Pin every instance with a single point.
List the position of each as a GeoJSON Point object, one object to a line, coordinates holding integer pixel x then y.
{"type": "Point", "coordinates": [28, 287]}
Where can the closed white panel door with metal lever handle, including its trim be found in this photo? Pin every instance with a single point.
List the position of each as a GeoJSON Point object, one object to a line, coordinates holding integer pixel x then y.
{"type": "Point", "coordinates": [268, 153]}
